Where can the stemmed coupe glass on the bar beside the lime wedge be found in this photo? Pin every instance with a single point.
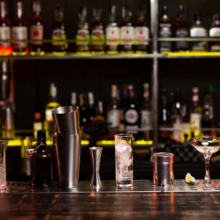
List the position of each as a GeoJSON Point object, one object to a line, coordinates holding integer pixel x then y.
{"type": "Point", "coordinates": [207, 145]}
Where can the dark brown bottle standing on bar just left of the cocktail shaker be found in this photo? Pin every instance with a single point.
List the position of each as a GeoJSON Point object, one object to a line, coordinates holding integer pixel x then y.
{"type": "Point", "coordinates": [41, 163]}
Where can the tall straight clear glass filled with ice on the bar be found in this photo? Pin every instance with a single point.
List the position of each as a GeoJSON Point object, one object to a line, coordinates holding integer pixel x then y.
{"type": "Point", "coordinates": [124, 160]}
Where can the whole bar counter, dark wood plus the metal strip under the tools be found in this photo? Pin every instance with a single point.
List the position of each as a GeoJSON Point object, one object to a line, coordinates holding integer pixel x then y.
{"type": "Point", "coordinates": [144, 201]}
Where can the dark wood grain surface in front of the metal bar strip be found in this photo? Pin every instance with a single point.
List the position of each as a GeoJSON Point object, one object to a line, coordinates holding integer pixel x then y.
{"type": "Point", "coordinates": [111, 206]}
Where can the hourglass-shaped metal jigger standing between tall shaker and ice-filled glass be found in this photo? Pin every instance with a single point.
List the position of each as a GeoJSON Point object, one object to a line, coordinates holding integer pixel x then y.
{"type": "Point", "coordinates": [95, 153]}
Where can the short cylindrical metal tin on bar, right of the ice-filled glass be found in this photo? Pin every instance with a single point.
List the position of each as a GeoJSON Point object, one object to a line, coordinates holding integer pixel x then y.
{"type": "Point", "coordinates": [163, 169]}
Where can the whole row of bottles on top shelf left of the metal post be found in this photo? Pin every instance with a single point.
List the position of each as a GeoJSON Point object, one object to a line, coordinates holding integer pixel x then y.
{"type": "Point", "coordinates": [96, 37]}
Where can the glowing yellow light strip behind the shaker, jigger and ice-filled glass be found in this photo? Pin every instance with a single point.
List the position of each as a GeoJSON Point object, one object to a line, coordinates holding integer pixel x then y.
{"type": "Point", "coordinates": [15, 143]}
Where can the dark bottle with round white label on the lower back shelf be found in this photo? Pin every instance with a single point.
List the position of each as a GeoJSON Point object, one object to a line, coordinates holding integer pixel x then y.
{"type": "Point", "coordinates": [131, 113]}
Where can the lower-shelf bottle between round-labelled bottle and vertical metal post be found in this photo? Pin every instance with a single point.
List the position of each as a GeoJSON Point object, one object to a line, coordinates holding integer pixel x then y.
{"type": "Point", "coordinates": [146, 114]}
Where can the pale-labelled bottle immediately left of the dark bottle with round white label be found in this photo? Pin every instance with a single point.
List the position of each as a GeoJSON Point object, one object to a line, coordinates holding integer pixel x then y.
{"type": "Point", "coordinates": [113, 112]}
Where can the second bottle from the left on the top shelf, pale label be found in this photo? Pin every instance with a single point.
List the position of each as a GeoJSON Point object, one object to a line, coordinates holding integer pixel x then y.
{"type": "Point", "coordinates": [19, 33]}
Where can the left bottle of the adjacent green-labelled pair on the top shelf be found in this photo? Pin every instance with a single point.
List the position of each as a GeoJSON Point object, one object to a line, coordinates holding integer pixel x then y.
{"type": "Point", "coordinates": [82, 35]}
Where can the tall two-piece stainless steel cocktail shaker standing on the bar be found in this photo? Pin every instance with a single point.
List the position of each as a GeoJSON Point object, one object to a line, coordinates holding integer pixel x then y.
{"type": "Point", "coordinates": [67, 145]}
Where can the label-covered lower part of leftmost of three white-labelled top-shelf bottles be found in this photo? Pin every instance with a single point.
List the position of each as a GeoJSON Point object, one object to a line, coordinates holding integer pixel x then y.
{"type": "Point", "coordinates": [112, 38]}
